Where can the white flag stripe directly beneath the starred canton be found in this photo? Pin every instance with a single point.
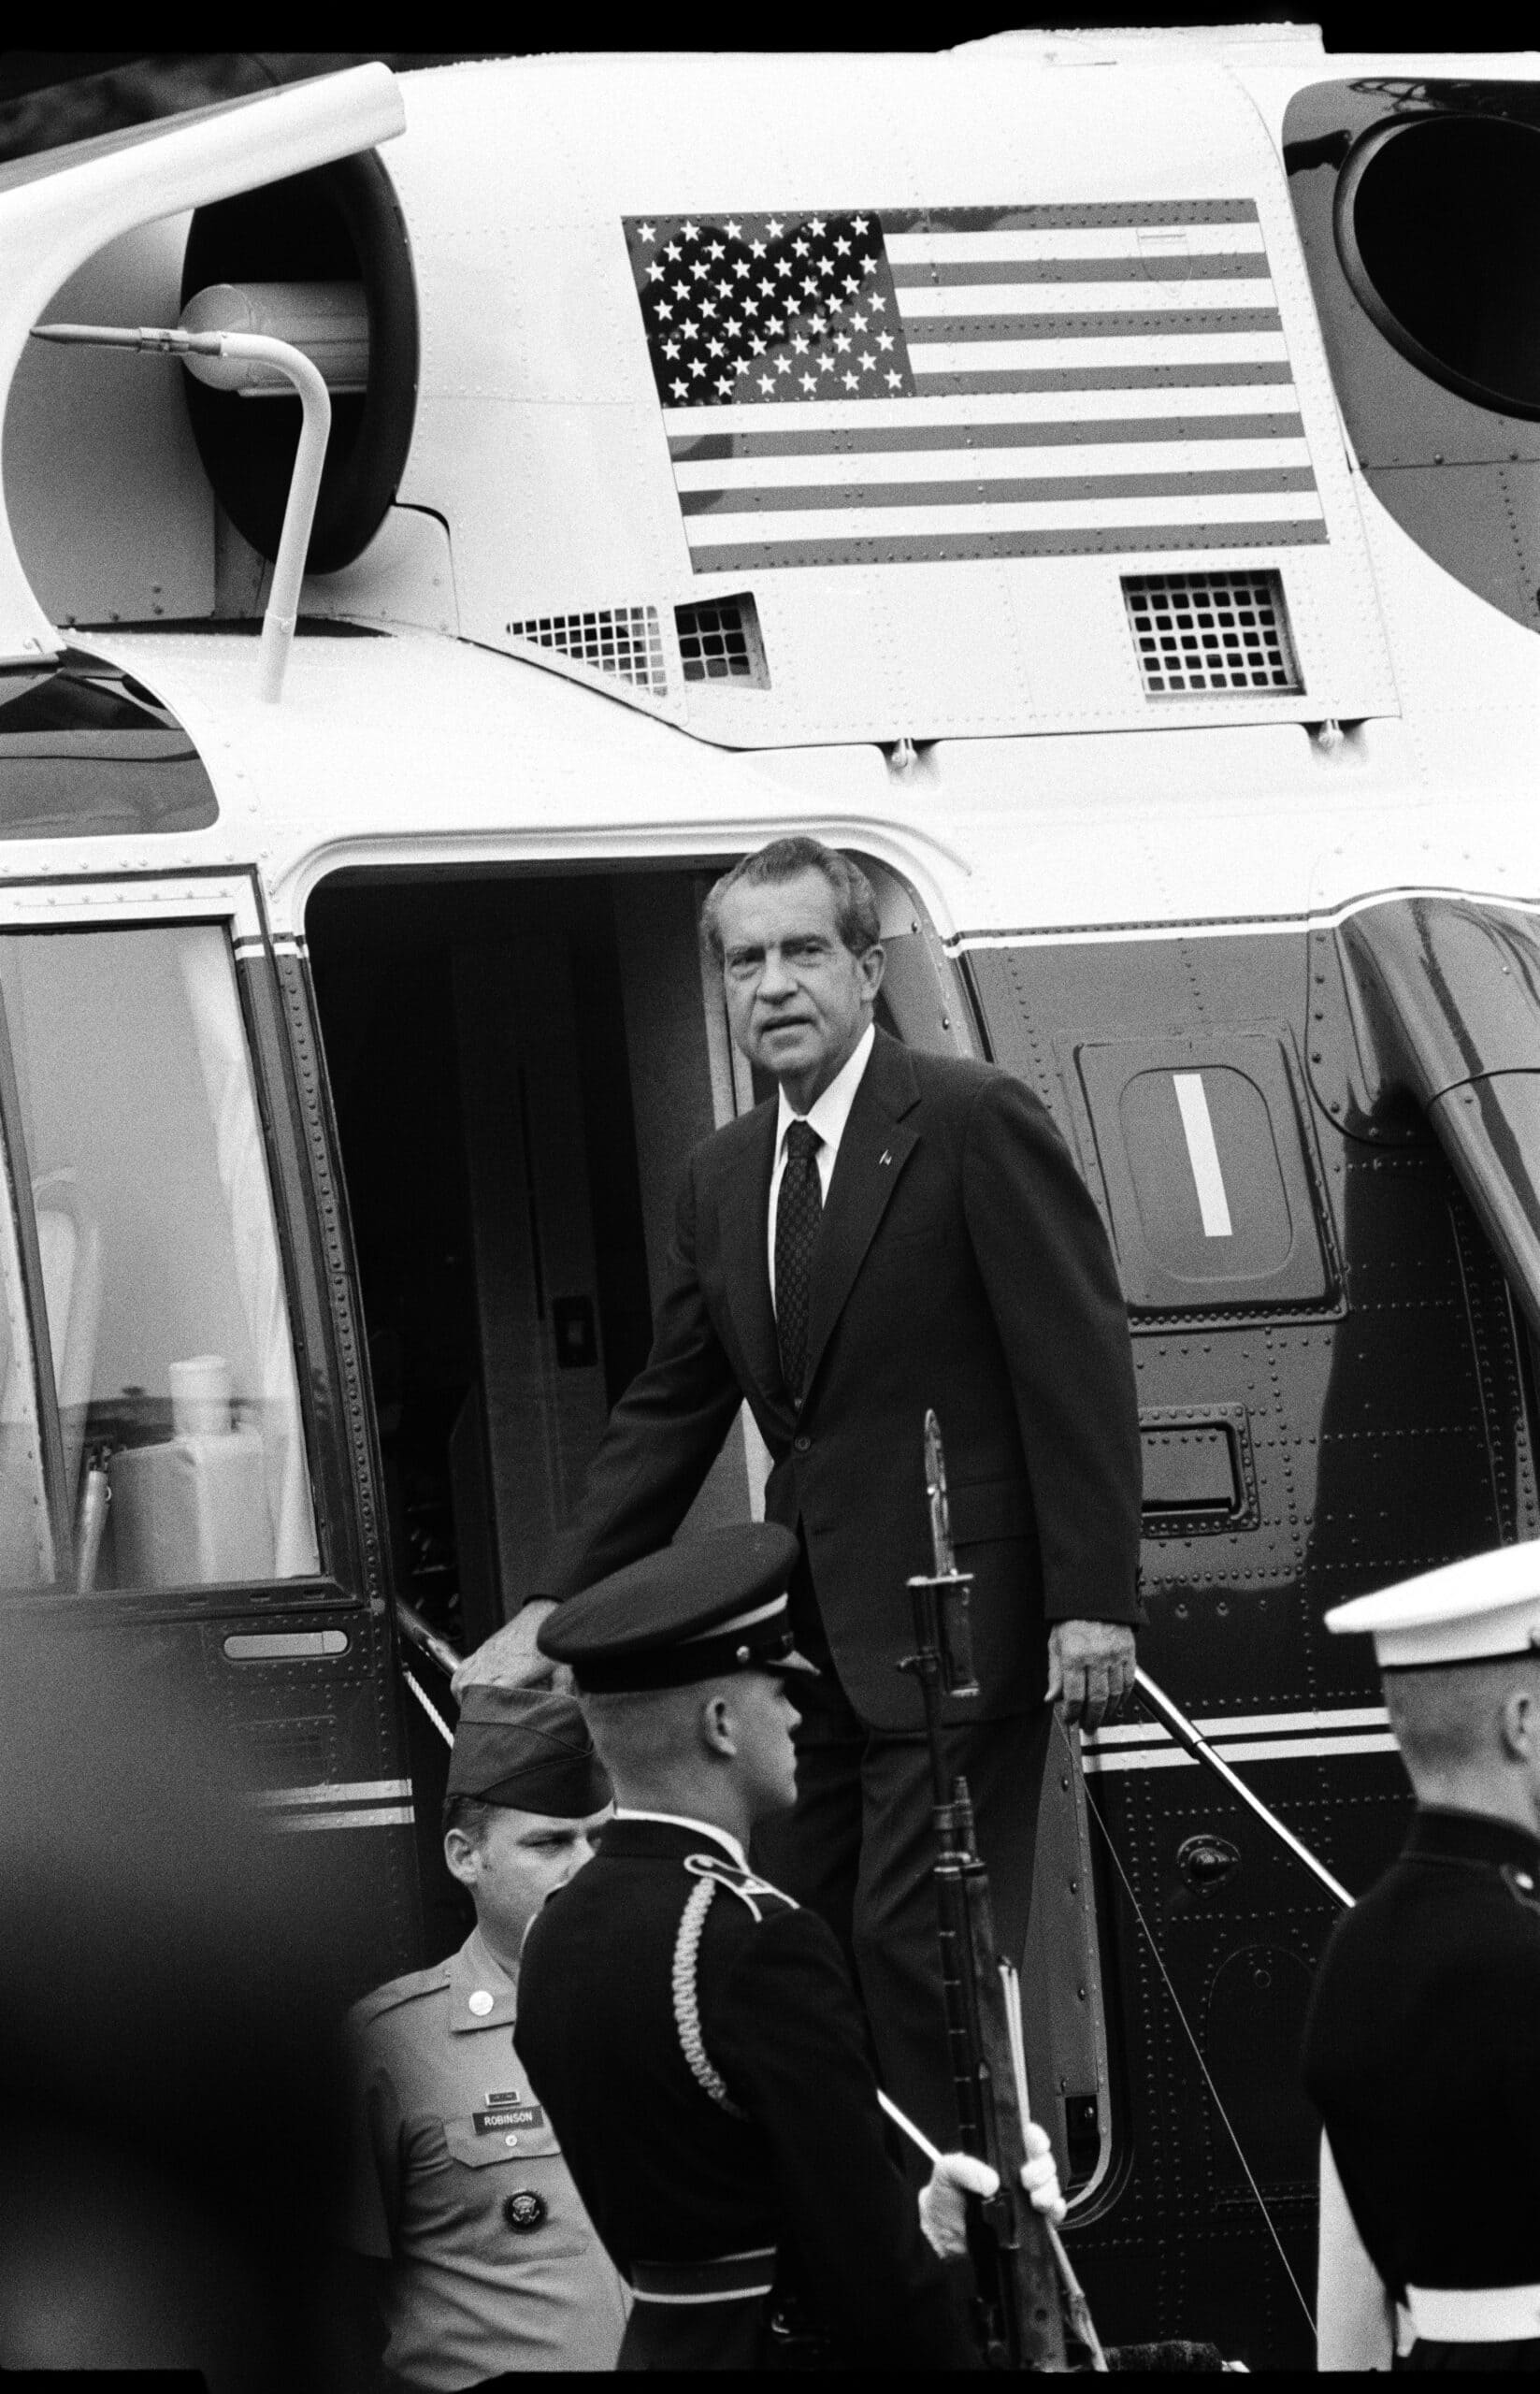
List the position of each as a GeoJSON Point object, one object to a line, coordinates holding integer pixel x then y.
{"type": "Point", "coordinates": [986, 408]}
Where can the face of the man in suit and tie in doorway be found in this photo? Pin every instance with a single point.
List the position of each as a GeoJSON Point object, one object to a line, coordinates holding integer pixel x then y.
{"type": "Point", "coordinates": [796, 997]}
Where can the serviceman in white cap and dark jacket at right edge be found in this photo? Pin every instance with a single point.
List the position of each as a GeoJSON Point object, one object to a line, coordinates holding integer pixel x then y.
{"type": "Point", "coordinates": [1424, 2031]}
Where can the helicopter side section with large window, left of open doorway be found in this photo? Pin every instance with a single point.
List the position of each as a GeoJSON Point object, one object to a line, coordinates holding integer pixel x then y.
{"type": "Point", "coordinates": [169, 1371]}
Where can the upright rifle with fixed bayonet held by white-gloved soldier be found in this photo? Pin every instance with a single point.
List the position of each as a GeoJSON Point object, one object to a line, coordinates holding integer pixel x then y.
{"type": "Point", "coordinates": [1017, 2254]}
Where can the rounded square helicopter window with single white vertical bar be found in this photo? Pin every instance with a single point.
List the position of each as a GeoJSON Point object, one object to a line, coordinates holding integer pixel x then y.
{"type": "Point", "coordinates": [1206, 1169]}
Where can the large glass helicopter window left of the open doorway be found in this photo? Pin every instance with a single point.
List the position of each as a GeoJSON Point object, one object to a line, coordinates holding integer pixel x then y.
{"type": "Point", "coordinates": [159, 1258]}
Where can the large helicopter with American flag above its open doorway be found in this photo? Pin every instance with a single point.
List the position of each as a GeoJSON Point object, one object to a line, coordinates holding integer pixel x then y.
{"type": "Point", "coordinates": [1089, 478]}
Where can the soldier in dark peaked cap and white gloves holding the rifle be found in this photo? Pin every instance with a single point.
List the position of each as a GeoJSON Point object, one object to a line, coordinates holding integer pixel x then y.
{"type": "Point", "coordinates": [696, 2034]}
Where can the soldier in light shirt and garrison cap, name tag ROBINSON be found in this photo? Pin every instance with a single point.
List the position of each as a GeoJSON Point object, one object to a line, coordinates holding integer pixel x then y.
{"type": "Point", "coordinates": [459, 2194]}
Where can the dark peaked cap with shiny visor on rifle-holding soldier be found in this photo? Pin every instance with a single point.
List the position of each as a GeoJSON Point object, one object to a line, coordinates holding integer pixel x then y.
{"type": "Point", "coordinates": [691, 1612]}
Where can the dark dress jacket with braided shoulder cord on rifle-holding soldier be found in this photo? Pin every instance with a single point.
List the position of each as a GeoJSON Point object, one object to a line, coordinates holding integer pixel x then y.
{"type": "Point", "coordinates": [667, 2175]}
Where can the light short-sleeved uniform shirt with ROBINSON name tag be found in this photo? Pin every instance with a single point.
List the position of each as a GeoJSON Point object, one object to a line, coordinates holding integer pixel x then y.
{"type": "Point", "coordinates": [459, 2185]}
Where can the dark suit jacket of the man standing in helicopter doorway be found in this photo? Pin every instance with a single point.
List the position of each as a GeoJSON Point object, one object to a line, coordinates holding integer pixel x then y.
{"type": "Point", "coordinates": [962, 1265]}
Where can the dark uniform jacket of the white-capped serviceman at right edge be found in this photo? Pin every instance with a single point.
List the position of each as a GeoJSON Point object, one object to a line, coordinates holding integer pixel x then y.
{"type": "Point", "coordinates": [1424, 2060]}
